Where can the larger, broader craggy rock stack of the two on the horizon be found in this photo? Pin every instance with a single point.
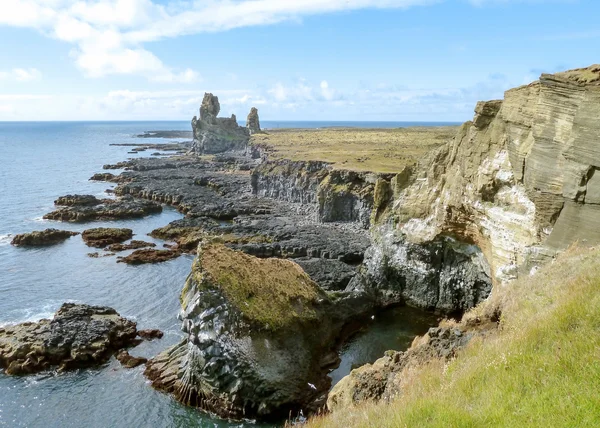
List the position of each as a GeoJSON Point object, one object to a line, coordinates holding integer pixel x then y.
{"type": "Point", "coordinates": [214, 134]}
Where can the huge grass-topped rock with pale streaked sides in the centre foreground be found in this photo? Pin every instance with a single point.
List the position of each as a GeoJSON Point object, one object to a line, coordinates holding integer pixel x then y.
{"type": "Point", "coordinates": [259, 337]}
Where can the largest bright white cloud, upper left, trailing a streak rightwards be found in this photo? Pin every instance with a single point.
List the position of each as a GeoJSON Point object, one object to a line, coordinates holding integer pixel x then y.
{"type": "Point", "coordinates": [109, 34]}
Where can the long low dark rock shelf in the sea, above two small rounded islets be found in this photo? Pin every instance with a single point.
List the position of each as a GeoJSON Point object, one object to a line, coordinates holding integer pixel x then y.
{"type": "Point", "coordinates": [81, 208]}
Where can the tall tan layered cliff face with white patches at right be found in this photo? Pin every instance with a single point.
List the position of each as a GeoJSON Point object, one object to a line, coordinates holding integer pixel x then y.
{"type": "Point", "coordinates": [519, 181]}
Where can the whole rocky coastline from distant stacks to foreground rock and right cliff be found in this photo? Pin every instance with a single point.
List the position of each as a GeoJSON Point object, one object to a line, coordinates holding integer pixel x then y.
{"type": "Point", "coordinates": [292, 254]}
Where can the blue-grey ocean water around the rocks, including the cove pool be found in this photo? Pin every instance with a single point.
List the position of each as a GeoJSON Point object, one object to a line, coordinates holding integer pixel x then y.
{"type": "Point", "coordinates": [40, 161]}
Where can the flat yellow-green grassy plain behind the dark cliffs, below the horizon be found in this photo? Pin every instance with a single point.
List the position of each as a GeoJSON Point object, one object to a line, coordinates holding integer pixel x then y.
{"type": "Point", "coordinates": [357, 149]}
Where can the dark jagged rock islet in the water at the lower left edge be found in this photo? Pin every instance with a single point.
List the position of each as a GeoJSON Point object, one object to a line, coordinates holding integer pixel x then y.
{"type": "Point", "coordinates": [78, 336]}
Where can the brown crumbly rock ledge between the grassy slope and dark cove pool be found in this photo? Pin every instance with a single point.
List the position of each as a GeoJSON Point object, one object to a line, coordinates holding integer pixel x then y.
{"type": "Point", "coordinates": [383, 380]}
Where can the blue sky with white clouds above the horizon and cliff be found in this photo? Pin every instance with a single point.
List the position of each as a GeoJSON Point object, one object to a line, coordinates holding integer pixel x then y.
{"type": "Point", "coordinates": [367, 60]}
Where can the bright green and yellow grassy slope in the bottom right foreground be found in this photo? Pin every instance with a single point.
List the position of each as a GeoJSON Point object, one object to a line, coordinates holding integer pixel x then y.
{"type": "Point", "coordinates": [542, 368]}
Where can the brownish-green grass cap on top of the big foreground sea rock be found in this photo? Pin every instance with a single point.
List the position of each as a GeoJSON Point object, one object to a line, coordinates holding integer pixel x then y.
{"type": "Point", "coordinates": [271, 293]}
